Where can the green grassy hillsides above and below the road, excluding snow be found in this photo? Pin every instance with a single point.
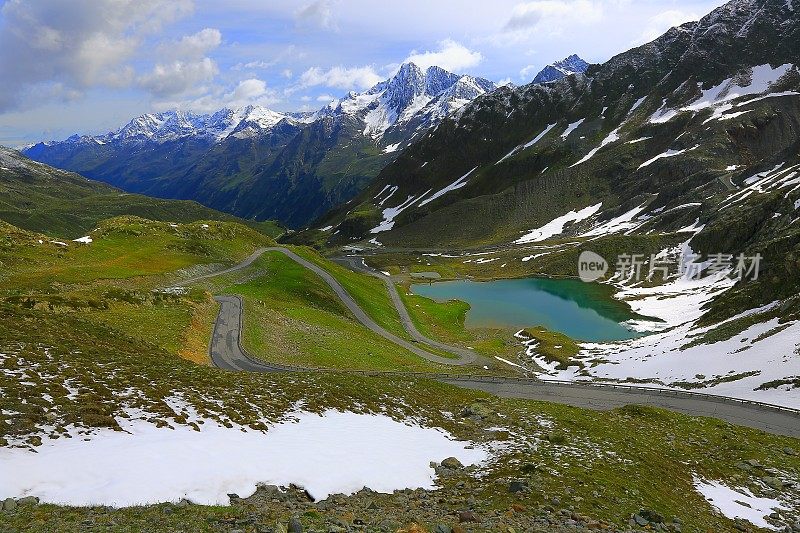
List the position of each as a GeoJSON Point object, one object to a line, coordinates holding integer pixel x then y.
{"type": "Point", "coordinates": [97, 340]}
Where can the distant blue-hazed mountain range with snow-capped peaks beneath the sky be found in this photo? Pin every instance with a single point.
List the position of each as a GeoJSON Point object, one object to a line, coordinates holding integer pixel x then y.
{"type": "Point", "coordinates": [262, 164]}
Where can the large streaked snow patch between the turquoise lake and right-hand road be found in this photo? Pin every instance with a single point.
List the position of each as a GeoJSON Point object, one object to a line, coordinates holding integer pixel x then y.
{"type": "Point", "coordinates": [763, 352]}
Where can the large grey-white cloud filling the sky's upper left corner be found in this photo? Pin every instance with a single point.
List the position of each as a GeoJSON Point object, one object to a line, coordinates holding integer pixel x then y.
{"type": "Point", "coordinates": [64, 48]}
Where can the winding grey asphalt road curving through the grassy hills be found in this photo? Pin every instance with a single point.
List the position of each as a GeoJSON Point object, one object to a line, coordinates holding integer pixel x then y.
{"type": "Point", "coordinates": [227, 353]}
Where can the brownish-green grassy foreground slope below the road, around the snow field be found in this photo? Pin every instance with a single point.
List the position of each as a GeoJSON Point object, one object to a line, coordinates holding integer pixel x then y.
{"type": "Point", "coordinates": [600, 469]}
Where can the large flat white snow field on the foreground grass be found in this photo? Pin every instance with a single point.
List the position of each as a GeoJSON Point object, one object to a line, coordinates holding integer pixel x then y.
{"type": "Point", "coordinates": [337, 452]}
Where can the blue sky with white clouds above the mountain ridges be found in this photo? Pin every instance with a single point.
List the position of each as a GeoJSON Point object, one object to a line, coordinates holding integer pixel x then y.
{"type": "Point", "coordinates": [88, 66]}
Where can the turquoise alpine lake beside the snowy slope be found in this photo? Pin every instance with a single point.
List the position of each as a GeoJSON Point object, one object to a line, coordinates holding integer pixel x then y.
{"type": "Point", "coordinates": [582, 311]}
